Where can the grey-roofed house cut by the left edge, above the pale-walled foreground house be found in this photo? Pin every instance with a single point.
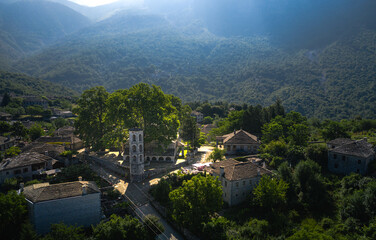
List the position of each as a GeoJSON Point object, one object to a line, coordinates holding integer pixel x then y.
{"type": "Point", "coordinates": [26, 166]}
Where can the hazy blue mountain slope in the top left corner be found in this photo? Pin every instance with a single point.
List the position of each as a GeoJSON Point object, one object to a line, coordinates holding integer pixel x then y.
{"type": "Point", "coordinates": [28, 26]}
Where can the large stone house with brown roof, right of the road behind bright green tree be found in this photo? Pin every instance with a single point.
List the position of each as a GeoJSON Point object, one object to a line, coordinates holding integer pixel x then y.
{"type": "Point", "coordinates": [238, 179]}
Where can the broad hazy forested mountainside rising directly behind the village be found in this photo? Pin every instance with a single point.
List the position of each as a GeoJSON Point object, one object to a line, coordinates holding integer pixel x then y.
{"type": "Point", "coordinates": [327, 76]}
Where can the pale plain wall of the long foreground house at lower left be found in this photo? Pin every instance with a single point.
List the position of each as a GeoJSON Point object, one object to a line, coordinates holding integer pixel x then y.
{"type": "Point", "coordinates": [83, 210]}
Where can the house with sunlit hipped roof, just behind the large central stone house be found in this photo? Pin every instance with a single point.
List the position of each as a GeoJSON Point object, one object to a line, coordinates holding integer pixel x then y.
{"type": "Point", "coordinates": [238, 143]}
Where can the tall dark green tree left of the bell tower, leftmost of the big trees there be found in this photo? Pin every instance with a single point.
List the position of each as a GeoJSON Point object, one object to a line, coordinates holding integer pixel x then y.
{"type": "Point", "coordinates": [90, 123]}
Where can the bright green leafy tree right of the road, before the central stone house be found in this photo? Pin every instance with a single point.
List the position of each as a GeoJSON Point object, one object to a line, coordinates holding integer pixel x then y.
{"type": "Point", "coordinates": [196, 200]}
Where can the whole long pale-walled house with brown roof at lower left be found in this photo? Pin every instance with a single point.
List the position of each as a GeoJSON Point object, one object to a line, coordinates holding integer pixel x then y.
{"type": "Point", "coordinates": [72, 203]}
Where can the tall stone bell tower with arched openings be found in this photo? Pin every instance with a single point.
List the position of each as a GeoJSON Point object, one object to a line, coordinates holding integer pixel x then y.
{"type": "Point", "coordinates": [136, 154]}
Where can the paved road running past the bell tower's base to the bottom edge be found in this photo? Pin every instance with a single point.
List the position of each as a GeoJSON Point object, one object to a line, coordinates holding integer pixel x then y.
{"type": "Point", "coordinates": [136, 193]}
